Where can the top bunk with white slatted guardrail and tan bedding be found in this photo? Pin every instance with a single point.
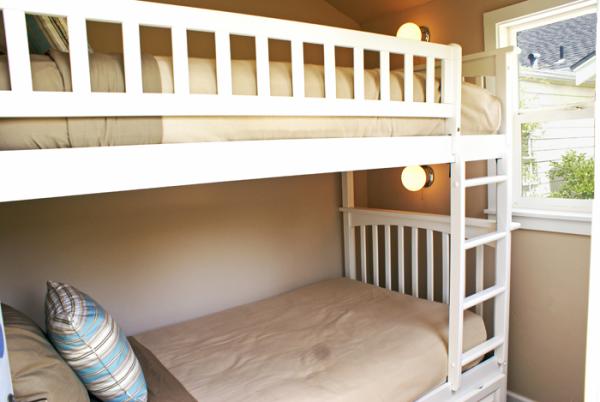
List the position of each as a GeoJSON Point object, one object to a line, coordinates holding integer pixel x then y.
{"type": "Point", "coordinates": [378, 116]}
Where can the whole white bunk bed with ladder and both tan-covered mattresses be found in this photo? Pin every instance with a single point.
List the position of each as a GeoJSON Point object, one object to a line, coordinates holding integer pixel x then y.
{"type": "Point", "coordinates": [471, 365]}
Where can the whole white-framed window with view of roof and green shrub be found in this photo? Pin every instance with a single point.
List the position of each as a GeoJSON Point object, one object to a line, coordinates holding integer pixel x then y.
{"type": "Point", "coordinates": [554, 130]}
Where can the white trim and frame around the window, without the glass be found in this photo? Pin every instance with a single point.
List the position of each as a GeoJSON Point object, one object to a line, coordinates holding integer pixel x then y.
{"type": "Point", "coordinates": [500, 26]}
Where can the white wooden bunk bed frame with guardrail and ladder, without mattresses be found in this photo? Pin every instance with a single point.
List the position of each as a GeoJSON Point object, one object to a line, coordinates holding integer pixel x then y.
{"type": "Point", "coordinates": [42, 173]}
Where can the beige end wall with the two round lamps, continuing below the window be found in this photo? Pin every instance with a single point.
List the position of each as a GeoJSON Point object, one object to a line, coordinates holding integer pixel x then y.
{"type": "Point", "coordinates": [549, 270]}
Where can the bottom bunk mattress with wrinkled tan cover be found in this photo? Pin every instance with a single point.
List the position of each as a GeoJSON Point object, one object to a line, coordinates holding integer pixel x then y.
{"type": "Point", "coordinates": [336, 340]}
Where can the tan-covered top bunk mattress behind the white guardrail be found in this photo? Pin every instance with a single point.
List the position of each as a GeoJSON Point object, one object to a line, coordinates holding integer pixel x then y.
{"type": "Point", "coordinates": [481, 111]}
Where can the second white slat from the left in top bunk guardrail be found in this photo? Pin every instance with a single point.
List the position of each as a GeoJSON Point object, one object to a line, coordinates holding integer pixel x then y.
{"type": "Point", "coordinates": [79, 56]}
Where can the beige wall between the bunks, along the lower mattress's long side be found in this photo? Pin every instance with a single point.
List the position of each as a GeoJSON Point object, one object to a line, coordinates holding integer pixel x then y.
{"type": "Point", "coordinates": [155, 257]}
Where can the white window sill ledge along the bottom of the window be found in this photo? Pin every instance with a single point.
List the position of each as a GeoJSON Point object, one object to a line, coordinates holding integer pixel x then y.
{"type": "Point", "coordinates": [551, 221]}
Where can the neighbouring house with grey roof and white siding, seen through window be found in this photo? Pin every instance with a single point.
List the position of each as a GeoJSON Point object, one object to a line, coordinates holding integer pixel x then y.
{"type": "Point", "coordinates": [557, 69]}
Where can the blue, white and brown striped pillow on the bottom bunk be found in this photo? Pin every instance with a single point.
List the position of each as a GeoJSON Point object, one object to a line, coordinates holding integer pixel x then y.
{"type": "Point", "coordinates": [93, 345]}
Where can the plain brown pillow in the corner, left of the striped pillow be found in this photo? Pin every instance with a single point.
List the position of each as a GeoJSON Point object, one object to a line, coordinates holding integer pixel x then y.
{"type": "Point", "coordinates": [38, 372]}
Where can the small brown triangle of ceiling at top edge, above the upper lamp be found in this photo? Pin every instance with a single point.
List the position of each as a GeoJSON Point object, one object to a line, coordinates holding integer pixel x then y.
{"type": "Point", "coordinates": [365, 10]}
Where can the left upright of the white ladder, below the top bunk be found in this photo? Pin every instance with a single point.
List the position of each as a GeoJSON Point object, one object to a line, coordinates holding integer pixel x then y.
{"type": "Point", "coordinates": [457, 273]}
